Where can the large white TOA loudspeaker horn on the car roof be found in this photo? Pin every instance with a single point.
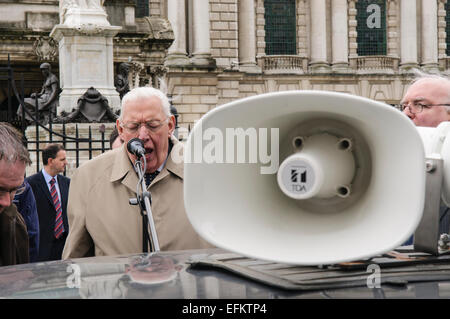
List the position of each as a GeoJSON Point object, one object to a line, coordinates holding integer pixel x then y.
{"type": "Point", "coordinates": [350, 183]}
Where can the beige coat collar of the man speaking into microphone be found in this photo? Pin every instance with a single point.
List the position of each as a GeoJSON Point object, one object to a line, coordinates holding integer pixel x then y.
{"type": "Point", "coordinates": [123, 168]}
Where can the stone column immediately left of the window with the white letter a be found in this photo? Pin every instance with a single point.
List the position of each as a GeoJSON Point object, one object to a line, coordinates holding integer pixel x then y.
{"type": "Point", "coordinates": [339, 35]}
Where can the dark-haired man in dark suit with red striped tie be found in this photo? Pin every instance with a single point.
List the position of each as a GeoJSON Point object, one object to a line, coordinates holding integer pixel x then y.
{"type": "Point", "coordinates": [51, 192]}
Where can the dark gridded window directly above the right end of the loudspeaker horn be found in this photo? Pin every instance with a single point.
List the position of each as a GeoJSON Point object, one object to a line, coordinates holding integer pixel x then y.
{"type": "Point", "coordinates": [371, 27]}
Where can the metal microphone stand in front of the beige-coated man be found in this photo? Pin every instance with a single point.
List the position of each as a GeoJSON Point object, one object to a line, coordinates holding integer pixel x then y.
{"type": "Point", "coordinates": [144, 201]}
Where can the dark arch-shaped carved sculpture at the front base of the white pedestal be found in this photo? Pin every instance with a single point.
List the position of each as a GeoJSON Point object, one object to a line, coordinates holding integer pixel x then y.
{"type": "Point", "coordinates": [92, 106]}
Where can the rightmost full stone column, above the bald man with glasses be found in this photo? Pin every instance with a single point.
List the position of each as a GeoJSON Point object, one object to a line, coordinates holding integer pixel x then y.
{"type": "Point", "coordinates": [430, 36]}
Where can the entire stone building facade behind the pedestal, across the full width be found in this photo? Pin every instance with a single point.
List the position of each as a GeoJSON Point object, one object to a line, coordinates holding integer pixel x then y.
{"type": "Point", "coordinates": [206, 53]}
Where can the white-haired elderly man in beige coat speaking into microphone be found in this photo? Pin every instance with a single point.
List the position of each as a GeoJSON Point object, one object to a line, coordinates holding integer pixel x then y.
{"type": "Point", "coordinates": [101, 220]}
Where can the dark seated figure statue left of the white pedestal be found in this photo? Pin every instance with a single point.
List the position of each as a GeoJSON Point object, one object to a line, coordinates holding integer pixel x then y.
{"type": "Point", "coordinates": [46, 100]}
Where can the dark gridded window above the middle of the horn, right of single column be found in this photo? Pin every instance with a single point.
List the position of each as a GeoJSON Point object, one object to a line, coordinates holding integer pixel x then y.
{"type": "Point", "coordinates": [280, 27]}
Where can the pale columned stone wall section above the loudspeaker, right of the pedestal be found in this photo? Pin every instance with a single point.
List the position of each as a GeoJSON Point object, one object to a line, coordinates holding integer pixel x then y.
{"type": "Point", "coordinates": [326, 55]}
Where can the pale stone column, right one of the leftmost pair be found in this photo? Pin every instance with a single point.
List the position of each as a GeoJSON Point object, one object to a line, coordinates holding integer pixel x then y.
{"type": "Point", "coordinates": [202, 40]}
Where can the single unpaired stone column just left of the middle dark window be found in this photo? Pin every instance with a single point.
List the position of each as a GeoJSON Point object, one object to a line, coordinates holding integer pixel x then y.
{"type": "Point", "coordinates": [247, 37]}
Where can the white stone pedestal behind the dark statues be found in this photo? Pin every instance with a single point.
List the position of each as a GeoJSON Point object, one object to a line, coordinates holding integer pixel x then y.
{"type": "Point", "coordinates": [85, 58]}
